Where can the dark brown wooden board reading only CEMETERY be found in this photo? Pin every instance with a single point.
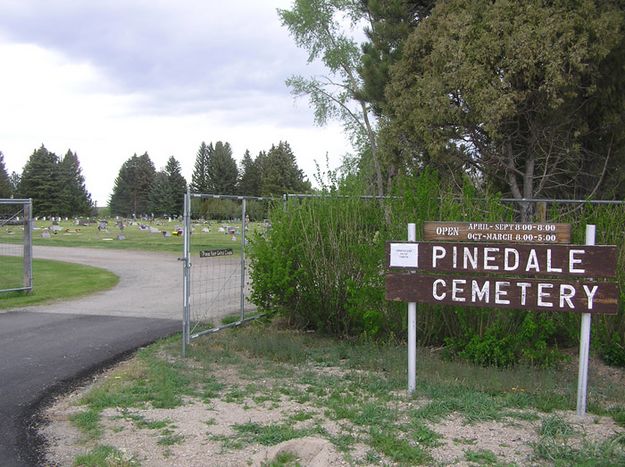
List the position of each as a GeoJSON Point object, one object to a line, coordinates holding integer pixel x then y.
{"type": "Point", "coordinates": [534, 294]}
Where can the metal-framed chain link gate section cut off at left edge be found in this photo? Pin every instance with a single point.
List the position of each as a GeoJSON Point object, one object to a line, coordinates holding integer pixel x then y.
{"type": "Point", "coordinates": [16, 247]}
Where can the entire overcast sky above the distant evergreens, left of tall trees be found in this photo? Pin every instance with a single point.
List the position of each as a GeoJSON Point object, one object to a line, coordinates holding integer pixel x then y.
{"type": "Point", "coordinates": [111, 78]}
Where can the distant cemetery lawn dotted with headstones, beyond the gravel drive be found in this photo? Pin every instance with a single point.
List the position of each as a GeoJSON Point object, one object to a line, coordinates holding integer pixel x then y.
{"type": "Point", "coordinates": [135, 238]}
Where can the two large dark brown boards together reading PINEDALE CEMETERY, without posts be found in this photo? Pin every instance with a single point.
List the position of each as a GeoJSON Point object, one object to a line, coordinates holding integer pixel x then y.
{"type": "Point", "coordinates": [493, 275]}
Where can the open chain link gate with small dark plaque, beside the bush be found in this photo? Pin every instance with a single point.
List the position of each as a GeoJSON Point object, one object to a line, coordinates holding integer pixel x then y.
{"type": "Point", "coordinates": [215, 269]}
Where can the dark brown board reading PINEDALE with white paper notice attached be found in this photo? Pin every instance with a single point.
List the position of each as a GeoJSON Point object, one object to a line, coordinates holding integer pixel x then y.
{"type": "Point", "coordinates": [514, 259]}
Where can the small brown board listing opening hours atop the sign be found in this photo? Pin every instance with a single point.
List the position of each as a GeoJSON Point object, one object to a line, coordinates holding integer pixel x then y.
{"type": "Point", "coordinates": [497, 232]}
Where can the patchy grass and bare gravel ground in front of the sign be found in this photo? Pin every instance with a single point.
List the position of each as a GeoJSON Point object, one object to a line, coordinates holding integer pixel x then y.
{"type": "Point", "coordinates": [257, 386]}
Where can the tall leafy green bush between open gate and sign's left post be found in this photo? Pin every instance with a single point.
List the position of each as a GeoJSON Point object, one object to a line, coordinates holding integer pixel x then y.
{"type": "Point", "coordinates": [317, 253]}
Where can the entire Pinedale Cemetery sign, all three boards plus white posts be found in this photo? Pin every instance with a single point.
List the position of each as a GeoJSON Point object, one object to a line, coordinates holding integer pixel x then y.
{"type": "Point", "coordinates": [562, 294]}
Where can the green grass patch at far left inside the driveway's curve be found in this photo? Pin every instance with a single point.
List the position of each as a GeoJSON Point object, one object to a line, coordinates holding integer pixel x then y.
{"type": "Point", "coordinates": [52, 280]}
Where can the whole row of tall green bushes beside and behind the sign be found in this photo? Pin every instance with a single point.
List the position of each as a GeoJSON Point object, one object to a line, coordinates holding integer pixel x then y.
{"type": "Point", "coordinates": [323, 263]}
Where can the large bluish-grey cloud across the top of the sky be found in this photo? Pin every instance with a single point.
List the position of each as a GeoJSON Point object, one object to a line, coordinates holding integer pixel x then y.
{"type": "Point", "coordinates": [186, 54]}
